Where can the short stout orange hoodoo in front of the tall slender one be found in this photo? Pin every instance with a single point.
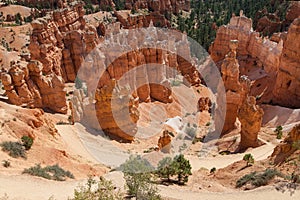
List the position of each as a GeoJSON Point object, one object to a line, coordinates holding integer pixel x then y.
{"type": "Point", "coordinates": [250, 116]}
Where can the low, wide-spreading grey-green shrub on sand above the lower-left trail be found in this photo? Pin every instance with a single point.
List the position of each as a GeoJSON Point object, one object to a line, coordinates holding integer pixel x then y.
{"type": "Point", "coordinates": [53, 172]}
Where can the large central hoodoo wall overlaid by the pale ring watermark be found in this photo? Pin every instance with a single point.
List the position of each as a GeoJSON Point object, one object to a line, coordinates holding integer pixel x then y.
{"type": "Point", "coordinates": [130, 74]}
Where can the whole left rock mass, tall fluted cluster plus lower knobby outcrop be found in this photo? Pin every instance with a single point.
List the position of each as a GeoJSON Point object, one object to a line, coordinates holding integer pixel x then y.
{"type": "Point", "coordinates": [58, 45]}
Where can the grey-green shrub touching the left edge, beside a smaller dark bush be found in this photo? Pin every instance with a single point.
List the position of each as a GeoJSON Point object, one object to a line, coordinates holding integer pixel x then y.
{"type": "Point", "coordinates": [14, 149]}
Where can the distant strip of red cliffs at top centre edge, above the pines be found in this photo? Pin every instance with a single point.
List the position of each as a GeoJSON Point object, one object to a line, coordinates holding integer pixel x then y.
{"type": "Point", "coordinates": [160, 5]}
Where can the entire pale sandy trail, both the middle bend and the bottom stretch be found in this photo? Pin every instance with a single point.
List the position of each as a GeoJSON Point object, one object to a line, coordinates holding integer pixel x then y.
{"type": "Point", "coordinates": [22, 187]}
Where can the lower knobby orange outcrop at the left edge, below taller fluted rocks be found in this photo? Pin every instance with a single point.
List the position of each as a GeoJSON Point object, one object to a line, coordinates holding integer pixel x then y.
{"type": "Point", "coordinates": [25, 85]}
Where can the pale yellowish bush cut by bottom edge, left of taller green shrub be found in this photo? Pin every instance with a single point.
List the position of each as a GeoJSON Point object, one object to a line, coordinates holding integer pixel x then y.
{"type": "Point", "coordinates": [102, 189]}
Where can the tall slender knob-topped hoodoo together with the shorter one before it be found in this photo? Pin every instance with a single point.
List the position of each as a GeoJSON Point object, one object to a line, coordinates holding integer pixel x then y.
{"type": "Point", "coordinates": [238, 102]}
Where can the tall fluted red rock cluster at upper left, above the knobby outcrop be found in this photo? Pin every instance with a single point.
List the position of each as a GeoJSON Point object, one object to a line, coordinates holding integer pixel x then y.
{"type": "Point", "coordinates": [61, 41]}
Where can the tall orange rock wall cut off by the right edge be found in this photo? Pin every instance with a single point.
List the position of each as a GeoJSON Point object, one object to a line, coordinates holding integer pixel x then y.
{"type": "Point", "coordinates": [287, 87]}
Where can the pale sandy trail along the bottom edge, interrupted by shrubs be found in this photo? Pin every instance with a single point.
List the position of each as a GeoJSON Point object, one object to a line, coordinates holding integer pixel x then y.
{"type": "Point", "coordinates": [31, 188]}
